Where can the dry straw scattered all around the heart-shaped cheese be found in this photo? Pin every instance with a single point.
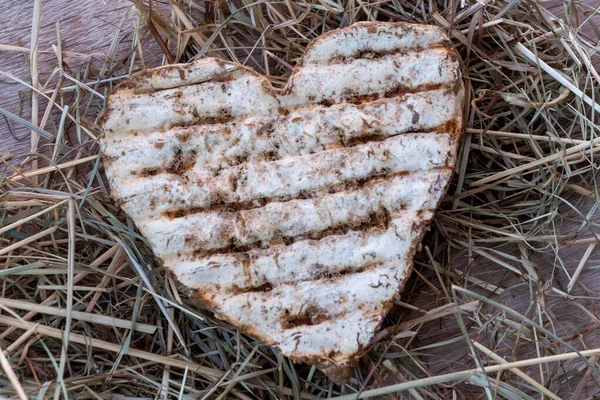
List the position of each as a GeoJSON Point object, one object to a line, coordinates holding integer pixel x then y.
{"type": "Point", "coordinates": [499, 308]}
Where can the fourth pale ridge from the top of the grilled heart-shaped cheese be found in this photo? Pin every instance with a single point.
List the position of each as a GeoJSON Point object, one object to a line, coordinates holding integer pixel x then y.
{"type": "Point", "coordinates": [291, 176]}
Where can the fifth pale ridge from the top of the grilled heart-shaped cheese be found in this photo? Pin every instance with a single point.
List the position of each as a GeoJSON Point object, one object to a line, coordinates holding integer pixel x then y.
{"type": "Point", "coordinates": [278, 222]}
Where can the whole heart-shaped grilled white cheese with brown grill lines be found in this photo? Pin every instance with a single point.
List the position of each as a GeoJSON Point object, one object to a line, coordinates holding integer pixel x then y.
{"type": "Point", "coordinates": [293, 214]}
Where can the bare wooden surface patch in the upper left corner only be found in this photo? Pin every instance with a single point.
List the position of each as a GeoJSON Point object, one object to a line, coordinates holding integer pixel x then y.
{"type": "Point", "coordinates": [86, 27]}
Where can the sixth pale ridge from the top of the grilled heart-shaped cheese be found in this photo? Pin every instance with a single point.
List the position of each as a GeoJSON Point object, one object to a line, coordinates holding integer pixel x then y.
{"type": "Point", "coordinates": [302, 261]}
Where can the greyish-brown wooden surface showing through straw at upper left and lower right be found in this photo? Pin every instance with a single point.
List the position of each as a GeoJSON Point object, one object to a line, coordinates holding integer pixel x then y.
{"type": "Point", "coordinates": [91, 26]}
